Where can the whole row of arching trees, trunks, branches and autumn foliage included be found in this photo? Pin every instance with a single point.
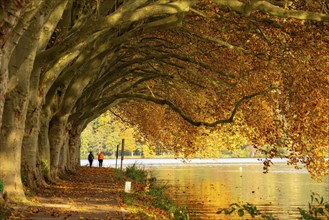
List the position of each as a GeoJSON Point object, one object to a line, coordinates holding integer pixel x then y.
{"type": "Point", "coordinates": [180, 71]}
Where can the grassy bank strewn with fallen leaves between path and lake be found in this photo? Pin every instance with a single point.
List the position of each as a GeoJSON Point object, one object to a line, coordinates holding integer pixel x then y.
{"type": "Point", "coordinates": [148, 199]}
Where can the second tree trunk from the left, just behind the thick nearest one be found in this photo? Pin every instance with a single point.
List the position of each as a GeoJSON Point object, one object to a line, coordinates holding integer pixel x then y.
{"type": "Point", "coordinates": [33, 167]}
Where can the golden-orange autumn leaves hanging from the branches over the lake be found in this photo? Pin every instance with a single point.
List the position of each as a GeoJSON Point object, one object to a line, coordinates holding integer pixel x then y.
{"type": "Point", "coordinates": [277, 67]}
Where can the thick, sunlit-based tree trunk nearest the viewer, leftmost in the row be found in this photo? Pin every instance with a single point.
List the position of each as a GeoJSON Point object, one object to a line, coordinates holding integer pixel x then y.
{"type": "Point", "coordinates": [15, 109]}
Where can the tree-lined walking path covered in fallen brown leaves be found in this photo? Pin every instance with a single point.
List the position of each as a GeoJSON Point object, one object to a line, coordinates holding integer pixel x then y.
{"type": "Point", "coordinates": [91, 193]}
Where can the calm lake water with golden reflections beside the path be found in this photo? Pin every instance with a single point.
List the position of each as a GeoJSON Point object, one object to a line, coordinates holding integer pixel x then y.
{"type": "Point", "coordinates": [206, 185]}
